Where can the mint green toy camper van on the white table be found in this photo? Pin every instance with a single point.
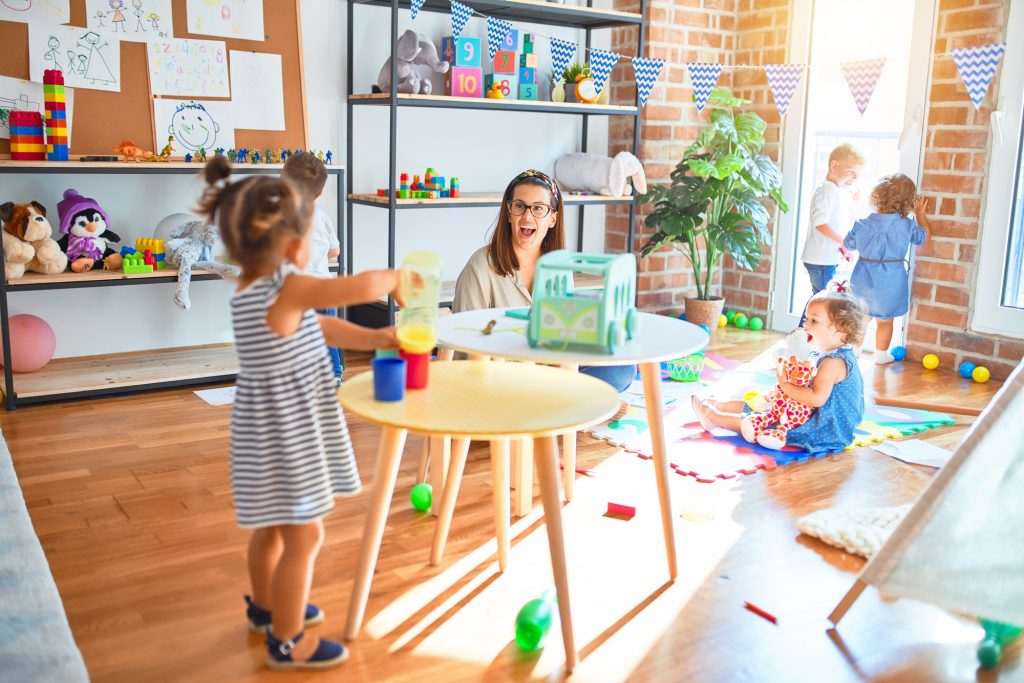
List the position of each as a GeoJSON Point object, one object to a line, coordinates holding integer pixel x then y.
{"type": "Point", "coordinates": [601, 320]}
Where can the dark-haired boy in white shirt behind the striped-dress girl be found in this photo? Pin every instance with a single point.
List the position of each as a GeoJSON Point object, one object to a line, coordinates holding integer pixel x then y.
{"type": "Point", "coordinates": [308, 174]}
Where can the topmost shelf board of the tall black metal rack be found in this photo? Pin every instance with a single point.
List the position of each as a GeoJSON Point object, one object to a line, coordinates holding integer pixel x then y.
{"type": "Point", "coordinates": [534, 12]}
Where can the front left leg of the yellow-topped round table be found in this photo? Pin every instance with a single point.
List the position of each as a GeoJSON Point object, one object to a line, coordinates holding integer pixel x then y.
{"type": "Point", "coordinates": [389, 459]}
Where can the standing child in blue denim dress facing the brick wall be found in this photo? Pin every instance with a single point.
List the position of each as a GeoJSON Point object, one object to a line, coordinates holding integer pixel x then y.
{"type": "Point", "coordinates": [881, 276]}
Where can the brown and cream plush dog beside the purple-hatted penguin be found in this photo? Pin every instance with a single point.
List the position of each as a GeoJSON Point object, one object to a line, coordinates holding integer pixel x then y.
{"type": "Point", "coordinates": [27, 233]}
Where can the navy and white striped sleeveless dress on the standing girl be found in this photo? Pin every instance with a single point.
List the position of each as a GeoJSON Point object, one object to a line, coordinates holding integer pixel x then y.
{"type": "Point", "coordinates": [291, 454]}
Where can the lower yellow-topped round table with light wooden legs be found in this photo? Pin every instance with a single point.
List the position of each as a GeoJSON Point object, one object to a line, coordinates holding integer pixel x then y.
{"type": "Point", "coordinates": [479, 401]}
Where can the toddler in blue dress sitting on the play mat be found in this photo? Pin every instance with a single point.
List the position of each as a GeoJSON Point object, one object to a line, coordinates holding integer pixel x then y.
{"type": "Point", "coordinates": [836, 321]}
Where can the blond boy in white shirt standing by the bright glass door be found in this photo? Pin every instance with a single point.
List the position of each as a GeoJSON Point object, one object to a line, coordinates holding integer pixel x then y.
{"type": "Point", "coordinates": [830, 223]}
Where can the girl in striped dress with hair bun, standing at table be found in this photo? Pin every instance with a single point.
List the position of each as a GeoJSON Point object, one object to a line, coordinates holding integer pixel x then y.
{"type": "Point", "coordinates": [291, 454]}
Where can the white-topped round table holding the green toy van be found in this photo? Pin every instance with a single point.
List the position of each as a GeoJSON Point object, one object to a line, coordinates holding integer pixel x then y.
{"type": "Point", "coordinates": [658, 338]}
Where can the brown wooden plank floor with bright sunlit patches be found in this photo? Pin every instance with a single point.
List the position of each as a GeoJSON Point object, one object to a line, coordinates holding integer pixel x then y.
{"type": "Point", "coordinates": [132, 499]}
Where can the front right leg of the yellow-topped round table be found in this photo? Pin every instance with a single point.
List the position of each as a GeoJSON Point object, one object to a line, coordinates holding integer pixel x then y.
{"type": "Point", "coordinates": [546, 452]}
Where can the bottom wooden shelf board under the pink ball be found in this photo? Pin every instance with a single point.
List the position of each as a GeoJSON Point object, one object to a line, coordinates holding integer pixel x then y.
{"type": "Point", "coordinates": [100, 375]}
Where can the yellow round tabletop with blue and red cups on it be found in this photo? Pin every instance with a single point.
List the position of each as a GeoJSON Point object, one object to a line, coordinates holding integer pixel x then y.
{"type": "Point", "coordinates": [481, 401]}
